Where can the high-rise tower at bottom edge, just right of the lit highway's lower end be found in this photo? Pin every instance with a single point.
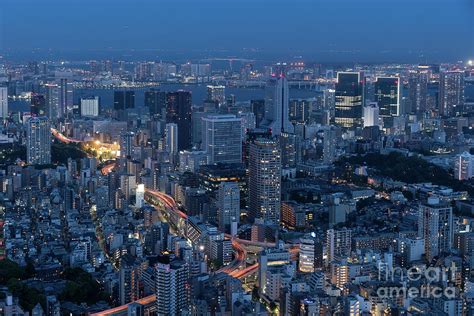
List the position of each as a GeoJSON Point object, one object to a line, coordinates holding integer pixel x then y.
{"type": "Point", "coordinates": [172, 289]}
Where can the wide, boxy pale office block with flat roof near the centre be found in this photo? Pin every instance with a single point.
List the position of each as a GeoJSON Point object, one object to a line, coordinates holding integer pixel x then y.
{"type": "Point", "coordinates": [222, 138]}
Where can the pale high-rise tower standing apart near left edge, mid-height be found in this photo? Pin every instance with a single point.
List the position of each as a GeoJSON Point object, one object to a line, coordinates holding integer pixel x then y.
{"type": "Point", "coordinates": [38, 141]}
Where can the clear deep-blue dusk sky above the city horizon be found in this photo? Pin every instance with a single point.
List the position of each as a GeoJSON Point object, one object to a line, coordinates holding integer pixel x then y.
{"type": "Point", "coordinates": [440, 29]}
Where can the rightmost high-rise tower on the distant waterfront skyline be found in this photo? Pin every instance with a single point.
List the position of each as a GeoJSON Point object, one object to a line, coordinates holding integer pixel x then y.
{"type": "Point", "coordinates": [451, 93]}
